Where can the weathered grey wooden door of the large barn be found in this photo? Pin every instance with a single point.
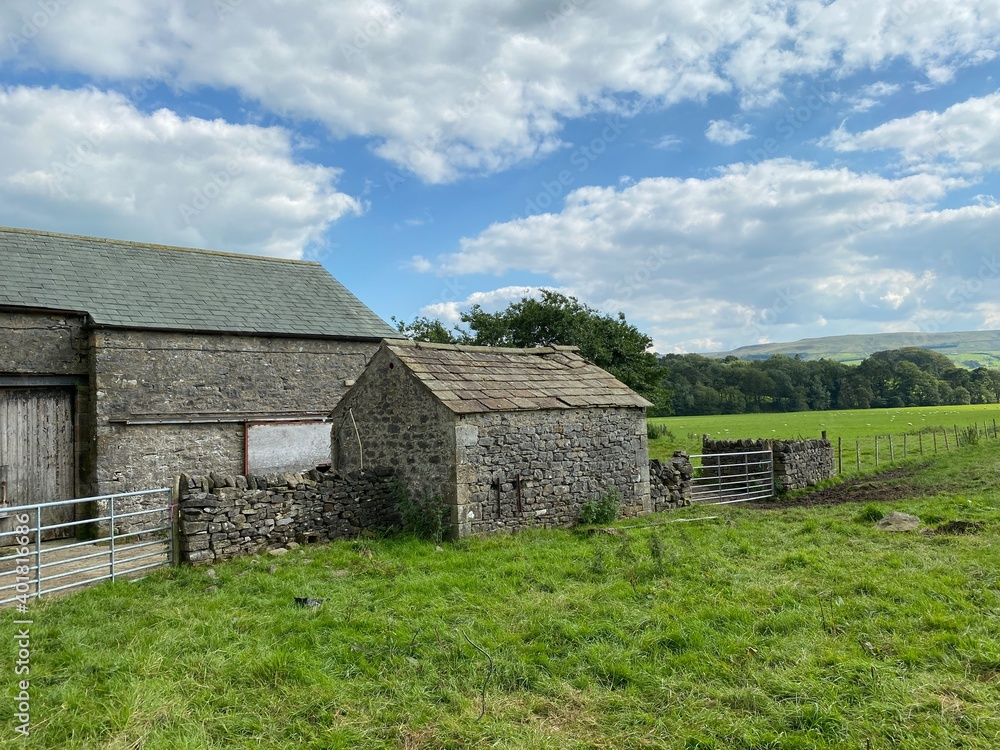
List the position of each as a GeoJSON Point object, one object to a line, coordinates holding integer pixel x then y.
{"type": "Point", "coordinates": [37, 454]}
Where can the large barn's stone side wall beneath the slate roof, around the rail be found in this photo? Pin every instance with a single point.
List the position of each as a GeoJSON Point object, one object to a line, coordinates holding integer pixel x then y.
{"type": "Point", "coordinates": [179, 376]}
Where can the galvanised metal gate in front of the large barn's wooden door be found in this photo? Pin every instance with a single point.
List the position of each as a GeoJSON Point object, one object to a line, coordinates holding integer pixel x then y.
{"type": "Point", "coordinates": [32, 566]}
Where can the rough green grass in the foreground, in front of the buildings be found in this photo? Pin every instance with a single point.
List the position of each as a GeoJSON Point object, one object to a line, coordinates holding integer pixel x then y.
{"type": "Point", "coordinates": [801, 628]}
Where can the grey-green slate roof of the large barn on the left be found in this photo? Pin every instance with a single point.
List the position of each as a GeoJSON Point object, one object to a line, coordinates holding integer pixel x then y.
{"type": "Point", "coordinates": [138, 285]}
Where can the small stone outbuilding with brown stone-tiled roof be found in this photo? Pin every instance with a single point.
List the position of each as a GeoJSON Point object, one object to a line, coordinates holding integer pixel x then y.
{"type": "Point", "coordinates": [510, 438]}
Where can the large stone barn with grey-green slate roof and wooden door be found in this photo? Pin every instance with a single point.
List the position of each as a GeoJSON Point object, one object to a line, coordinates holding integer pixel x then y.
{"type": "Point", "coordinates": [123, 363]}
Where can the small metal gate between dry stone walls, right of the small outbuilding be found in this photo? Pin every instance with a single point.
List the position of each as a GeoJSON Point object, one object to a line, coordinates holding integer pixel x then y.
{"type": "Point", "coordinates": [723, 478]}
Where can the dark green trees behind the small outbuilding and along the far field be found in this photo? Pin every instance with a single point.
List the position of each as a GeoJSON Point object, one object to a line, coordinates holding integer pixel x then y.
{"type": "Point", "coordinates": [691, 384]}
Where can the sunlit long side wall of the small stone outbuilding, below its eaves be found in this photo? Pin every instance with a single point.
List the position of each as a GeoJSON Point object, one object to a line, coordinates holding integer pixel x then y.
{"type": "Point", "coordinates": [538, 468]}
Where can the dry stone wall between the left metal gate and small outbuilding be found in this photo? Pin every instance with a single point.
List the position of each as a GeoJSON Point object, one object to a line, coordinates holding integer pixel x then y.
{"type": "Point", "coordinates": [227, 516]}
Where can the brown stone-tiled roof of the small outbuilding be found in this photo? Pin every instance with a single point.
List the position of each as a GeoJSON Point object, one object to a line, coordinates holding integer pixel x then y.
{"type": "Point", "coordinates": [472, 379]}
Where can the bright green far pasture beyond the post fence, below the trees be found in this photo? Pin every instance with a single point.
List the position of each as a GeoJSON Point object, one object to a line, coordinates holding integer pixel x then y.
{"type": "Point", "coordinates": [849, 425]}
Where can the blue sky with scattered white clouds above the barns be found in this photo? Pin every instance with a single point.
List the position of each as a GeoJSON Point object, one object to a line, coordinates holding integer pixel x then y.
{"type": "Point", "coordinates": [723, 173]}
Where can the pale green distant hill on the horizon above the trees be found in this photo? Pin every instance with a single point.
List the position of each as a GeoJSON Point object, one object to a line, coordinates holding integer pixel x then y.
{"type": "Point", "coordinates": [970, 349]}
